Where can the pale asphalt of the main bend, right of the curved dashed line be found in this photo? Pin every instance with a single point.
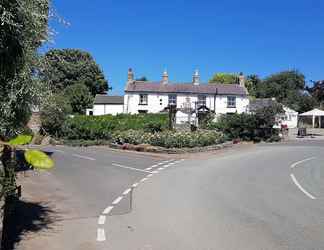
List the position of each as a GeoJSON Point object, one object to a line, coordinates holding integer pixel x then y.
{"type": "Point", "coordinates": [244, 199]}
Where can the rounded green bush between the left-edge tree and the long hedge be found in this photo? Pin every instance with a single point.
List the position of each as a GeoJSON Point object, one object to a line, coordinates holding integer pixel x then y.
{"type": "Point", "coordinates": [54, 113]}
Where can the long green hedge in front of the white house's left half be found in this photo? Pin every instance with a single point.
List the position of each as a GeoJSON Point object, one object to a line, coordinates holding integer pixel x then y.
{"type": "Point", "coordinates": [83, 127]}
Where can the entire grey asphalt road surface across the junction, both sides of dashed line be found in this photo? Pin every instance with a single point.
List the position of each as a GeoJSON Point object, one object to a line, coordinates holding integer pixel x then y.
{"type": "Point", "coordinates": [269, 196]}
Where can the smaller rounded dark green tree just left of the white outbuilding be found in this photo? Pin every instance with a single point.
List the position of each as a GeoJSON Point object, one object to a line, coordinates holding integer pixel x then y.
{"type": "Point", "coordinates": [79, 97]}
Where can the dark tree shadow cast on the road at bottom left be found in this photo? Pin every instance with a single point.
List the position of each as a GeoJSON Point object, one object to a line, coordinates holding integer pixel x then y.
{"type": "Point", "coordinates": [26, 217]}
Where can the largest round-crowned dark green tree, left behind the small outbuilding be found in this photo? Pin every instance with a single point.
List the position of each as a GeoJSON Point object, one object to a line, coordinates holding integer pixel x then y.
{"type": "Point", "coordinates": [66, 67]}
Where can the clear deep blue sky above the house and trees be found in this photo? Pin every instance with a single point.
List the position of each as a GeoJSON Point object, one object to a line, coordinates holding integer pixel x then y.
{"type": "Point", "coordinates": [252, 36]}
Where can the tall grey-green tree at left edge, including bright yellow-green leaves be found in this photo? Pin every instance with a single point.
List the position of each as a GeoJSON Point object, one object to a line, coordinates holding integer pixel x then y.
{"type": "Point", "coordinates": [23, 27]}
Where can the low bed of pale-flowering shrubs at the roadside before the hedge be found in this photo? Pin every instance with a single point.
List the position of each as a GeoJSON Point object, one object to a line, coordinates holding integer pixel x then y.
{"type": "Point", "coordinates": [169, 139]}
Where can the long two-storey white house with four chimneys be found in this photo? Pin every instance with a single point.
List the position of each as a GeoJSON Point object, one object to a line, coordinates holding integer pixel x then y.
{"type": "Point", "coordinates": [154, 97]}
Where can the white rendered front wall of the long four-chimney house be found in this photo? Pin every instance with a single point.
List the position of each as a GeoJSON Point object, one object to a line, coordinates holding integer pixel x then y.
{"type": "Point", "coordinates": [131, 102]}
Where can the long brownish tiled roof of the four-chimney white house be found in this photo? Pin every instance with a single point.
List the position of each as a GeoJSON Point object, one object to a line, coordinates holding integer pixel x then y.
{"type": "Point", "coordinates": [158, 87]}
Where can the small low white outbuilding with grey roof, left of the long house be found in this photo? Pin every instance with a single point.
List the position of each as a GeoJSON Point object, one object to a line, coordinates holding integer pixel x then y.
{"type": "Point", "coordinates": [107, 105]}
